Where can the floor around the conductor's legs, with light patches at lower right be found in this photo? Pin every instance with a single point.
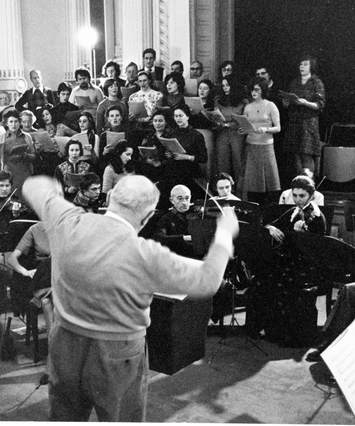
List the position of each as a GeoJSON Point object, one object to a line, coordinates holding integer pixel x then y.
{"type": "Point", "coordinates": [238, 381]}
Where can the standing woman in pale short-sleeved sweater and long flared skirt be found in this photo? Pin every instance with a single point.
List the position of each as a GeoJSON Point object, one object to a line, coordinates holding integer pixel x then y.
{"type": "Point", "coordinates": [261, 172]}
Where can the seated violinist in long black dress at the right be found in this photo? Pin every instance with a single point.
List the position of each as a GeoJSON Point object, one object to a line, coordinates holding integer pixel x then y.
{"type": "Point", "coordinates": [282, 300]}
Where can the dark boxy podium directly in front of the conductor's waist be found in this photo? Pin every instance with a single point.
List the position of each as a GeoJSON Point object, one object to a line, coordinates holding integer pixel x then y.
{"type": "Point", "coordinates": [177, 334]}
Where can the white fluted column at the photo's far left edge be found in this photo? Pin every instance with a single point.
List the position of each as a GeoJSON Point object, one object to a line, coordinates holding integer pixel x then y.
{"type": "Point", "coordinates": [11, 56]}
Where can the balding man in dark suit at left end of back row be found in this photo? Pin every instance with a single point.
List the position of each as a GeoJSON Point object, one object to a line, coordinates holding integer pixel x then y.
{"type": "Point", "coordinates": [36, 97]}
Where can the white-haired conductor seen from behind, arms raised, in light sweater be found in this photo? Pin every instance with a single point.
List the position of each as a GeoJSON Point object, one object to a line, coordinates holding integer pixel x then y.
{"type": "Point", "coordinates": [103, 280]}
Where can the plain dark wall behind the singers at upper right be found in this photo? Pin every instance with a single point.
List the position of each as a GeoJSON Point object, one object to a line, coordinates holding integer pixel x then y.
{"type": "Point", "coordinates": [275, 32]}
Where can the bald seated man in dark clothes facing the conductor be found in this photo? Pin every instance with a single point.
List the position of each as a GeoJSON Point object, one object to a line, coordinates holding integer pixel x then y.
{"type": "Point", "coordinates": [172, 228]}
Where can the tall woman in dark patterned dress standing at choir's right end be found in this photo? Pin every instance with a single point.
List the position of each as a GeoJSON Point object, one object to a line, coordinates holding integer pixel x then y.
{"type": "Point", "coordinates": [302, 139]}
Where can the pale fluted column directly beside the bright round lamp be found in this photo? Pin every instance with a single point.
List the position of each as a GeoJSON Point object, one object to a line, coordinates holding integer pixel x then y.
{"type": "Point", "coordinates": [77, 15]}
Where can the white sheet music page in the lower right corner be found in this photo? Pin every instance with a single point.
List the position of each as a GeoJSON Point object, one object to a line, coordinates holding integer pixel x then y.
{"type": "Point", "coordinates": [340, 359]}
